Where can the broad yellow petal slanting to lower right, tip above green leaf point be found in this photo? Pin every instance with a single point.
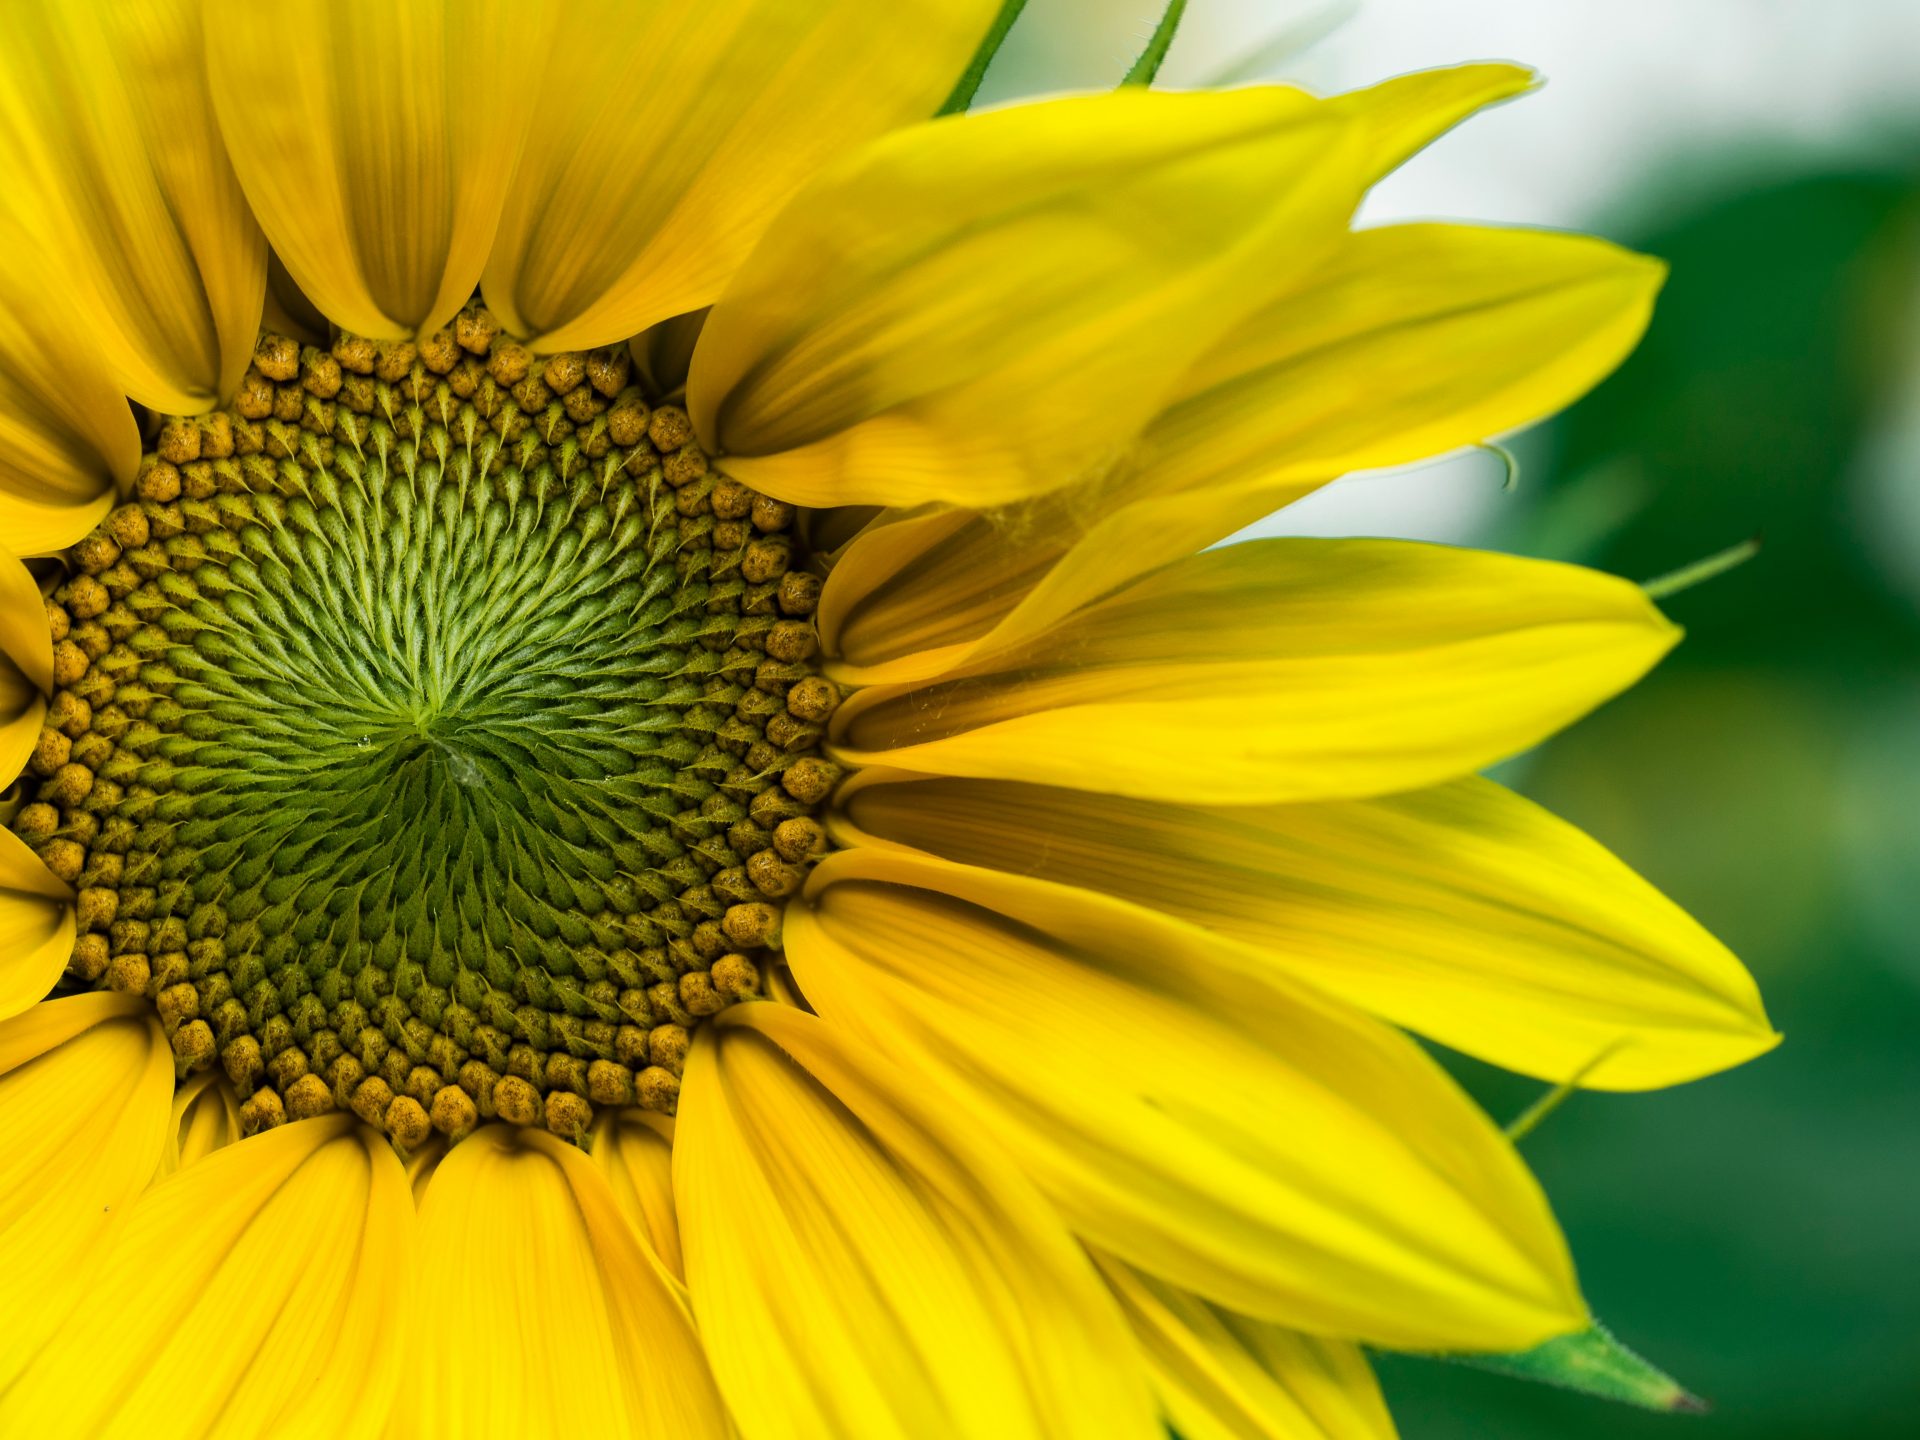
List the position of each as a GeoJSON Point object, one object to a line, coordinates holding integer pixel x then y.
{"type": "Point", "coordinates": [1255, 1143]}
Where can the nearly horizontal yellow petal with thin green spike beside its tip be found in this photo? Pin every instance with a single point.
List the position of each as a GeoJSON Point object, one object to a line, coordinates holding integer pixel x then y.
{"type": "Point", "coordinates": [1282, 671]}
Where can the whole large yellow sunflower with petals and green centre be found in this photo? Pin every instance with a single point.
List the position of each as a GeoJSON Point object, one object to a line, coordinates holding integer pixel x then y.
{"type": "Point", "coordinates": [642, 805]}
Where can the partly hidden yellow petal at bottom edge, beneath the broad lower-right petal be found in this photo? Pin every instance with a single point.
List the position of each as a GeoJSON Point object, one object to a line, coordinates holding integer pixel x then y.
{"type": "Point", "coordinates": [1230, 1378]}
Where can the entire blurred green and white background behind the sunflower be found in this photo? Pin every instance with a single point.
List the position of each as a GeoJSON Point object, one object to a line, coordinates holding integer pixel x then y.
{"type": "Point", "coordinates": [1756, 1234]}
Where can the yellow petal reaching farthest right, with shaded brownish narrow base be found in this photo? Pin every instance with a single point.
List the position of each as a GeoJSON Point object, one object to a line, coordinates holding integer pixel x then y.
{"type": "Point", "coordinates": [1462, 913]}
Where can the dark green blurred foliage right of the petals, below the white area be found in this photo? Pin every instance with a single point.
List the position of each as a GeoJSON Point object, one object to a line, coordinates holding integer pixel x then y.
{"type": "Point", "coordinates": [1758, 1232]}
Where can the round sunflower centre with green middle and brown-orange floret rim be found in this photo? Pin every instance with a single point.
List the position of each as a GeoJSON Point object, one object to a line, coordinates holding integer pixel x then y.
{"type": "Point", "coordinates": [433, 736]}
